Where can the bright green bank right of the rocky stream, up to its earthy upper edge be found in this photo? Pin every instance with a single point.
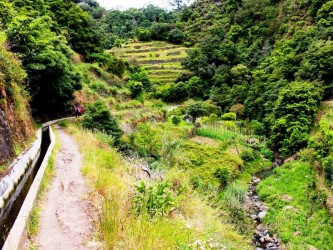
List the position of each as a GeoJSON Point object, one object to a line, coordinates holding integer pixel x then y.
{"type": "Point", "coordinates": [300, 192]}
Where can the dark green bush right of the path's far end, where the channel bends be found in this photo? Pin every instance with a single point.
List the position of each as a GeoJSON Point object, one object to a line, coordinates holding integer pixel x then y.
{"type": "Point", "coordinates": [98, 117]}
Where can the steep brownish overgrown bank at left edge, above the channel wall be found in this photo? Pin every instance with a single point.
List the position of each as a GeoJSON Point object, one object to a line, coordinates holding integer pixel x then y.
{"type": "Point", "coordinates": [16, 127]}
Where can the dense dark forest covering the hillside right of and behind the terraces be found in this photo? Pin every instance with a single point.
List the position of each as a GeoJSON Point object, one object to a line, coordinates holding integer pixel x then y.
{"type": "Point", "coordinates": [253, 53]}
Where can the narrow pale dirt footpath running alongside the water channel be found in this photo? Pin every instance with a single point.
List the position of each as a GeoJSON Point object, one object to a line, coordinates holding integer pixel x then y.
{"type": "Point", "coordinates": [65, 221]}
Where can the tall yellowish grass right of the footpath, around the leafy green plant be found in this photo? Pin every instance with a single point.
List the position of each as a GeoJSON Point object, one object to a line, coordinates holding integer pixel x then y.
{"type": "Point", "coordinates": [121, 227]}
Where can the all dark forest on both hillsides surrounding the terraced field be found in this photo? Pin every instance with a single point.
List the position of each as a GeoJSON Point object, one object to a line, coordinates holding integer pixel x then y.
{"type": "Point", "coordinates": [253, 53]}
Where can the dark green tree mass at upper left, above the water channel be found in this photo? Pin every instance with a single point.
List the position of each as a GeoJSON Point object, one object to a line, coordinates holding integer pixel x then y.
{"type": "Point", "coordinates": [46, 35]}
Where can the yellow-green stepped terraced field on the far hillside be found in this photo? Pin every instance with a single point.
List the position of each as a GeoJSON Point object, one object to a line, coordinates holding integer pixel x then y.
{"type": "Point", "coordinates": [161, 59]}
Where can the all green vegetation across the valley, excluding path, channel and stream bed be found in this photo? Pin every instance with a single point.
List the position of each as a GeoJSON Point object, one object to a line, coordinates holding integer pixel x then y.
{"type": "Point", "coordinates": [246, 78]}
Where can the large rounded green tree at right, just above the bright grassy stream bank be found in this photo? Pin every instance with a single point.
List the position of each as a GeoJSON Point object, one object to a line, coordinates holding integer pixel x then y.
{"type": "Point", "coordinates": [293, 116]}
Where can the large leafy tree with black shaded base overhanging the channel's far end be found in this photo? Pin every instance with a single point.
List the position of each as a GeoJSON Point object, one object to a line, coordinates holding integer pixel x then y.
{"type": "Point", "coordinates": [47, 59]}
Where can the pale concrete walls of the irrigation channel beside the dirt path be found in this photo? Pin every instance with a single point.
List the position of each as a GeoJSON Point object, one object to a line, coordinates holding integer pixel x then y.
{"type": "Point", "coordinates": [18, 171]}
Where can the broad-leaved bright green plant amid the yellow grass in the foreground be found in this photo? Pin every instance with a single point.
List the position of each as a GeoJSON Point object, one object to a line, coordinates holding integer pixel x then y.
{"type": "Point", "coordinates": [154, 200]}
